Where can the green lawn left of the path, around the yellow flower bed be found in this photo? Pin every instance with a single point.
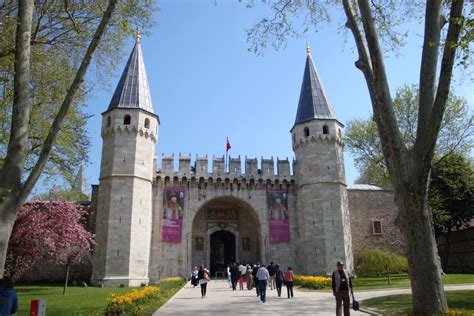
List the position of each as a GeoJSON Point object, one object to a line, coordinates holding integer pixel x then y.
{"type": "Point", "coordinates": [81, 300]}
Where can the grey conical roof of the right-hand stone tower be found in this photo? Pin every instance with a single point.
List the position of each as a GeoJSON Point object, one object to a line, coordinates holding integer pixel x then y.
{"type": "Point", "coordinates": [313, 103]}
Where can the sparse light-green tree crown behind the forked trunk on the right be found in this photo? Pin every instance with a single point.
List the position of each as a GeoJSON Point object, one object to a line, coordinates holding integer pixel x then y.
{"type": "Point", "coordinates": [363, 142]}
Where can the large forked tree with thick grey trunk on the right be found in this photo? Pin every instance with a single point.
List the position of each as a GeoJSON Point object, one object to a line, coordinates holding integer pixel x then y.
{"type": "Point", "coordinates": [375, 28]}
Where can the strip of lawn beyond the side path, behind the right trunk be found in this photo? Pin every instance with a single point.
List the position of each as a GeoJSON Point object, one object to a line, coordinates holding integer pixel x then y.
{"type": "Point", "coordinates": [403, 281]}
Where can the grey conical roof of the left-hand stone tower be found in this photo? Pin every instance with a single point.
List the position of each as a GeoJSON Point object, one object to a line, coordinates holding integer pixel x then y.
{"type": "Point", "coordinates": [132, 90]}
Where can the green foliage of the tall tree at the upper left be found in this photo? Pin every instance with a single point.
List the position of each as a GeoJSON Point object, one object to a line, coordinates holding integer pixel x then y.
{"type": "Point", "coordinates": [60, 36]}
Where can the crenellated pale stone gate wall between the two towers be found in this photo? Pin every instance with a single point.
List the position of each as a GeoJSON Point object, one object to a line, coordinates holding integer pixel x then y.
{"type": "Point", "coordinates": [247, 195]}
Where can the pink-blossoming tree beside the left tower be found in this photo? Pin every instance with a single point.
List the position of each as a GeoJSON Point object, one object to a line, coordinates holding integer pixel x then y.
{"type": "Point", "coordinates": [51, 230]}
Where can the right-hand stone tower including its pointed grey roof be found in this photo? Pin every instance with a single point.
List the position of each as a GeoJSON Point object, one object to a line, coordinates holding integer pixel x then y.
{"type": "Point", "coordinates": [322, 205]}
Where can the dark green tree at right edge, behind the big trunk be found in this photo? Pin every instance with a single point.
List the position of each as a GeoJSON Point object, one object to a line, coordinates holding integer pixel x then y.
{"type": "Point", "coordinates": [451, 193]}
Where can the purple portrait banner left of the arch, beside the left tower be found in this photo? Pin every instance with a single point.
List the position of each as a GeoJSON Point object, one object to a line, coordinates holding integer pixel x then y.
{"type": "Point", "coordinates": [173, 210]}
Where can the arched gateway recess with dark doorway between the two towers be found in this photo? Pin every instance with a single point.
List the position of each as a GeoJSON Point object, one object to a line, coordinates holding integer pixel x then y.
{"type": "Point", "coordinates": [224, 230]}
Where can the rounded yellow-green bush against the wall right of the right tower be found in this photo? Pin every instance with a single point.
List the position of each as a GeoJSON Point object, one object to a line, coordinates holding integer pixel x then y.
{"type": "Point", "coordinates": [374, 262]}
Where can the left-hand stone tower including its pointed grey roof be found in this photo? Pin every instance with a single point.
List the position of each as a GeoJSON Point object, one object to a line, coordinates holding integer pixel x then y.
{"type": "Point", "coordinates": [124, 212]}
